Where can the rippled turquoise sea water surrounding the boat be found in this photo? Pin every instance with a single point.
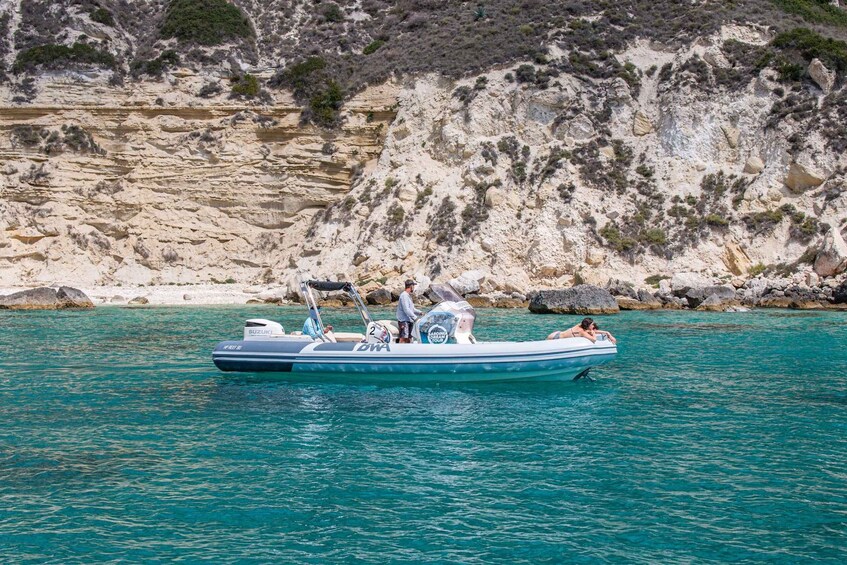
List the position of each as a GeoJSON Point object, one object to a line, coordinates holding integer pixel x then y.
{"type": "Point", "coordinates": [712, 437]}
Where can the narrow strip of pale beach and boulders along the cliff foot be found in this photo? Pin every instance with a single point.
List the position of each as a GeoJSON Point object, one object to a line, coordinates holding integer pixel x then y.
{"type": "Point", "coordinates": [683, 291]}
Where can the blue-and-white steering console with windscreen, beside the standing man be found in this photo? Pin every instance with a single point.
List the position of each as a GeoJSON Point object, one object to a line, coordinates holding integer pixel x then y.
{"type": "Point", "coordinates": [451, 321]}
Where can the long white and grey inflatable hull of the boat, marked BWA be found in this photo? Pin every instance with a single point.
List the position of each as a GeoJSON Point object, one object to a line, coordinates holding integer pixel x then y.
{"type": "Point", "coordinates": [293, 359]}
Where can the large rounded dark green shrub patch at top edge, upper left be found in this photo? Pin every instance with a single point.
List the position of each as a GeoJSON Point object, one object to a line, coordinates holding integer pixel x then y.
{"type": "Point", "coordinates": [207, 22]}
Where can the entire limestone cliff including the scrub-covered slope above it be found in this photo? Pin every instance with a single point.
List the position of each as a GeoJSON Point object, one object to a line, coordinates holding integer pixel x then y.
{"type": "Point", "coordinates": [581, 148]}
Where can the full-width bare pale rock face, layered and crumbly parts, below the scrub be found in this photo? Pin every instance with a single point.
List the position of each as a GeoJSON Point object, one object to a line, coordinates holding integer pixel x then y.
{"type": "Point", "coordinates": [525, 182]}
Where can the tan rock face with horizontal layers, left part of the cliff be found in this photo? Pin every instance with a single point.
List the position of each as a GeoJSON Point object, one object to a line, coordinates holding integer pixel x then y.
{"type": "Point", "coordinates": [147, 185]}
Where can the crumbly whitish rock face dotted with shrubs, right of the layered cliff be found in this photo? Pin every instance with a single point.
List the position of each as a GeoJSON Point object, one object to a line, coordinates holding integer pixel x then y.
{"type": "Point", "coordinates": [589, 180]}
